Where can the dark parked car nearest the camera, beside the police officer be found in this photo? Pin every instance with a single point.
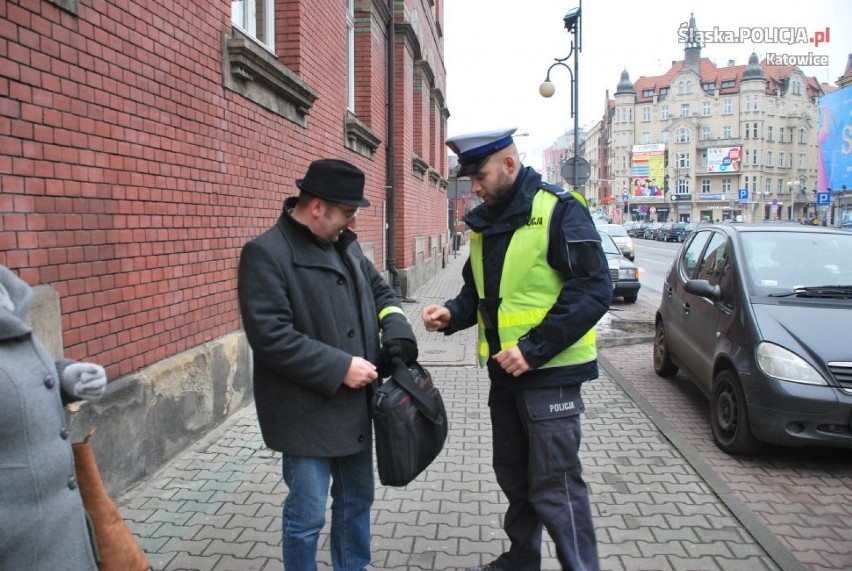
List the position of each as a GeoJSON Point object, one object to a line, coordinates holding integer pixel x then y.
{"type": "Point", "coordinates": [758, 316]}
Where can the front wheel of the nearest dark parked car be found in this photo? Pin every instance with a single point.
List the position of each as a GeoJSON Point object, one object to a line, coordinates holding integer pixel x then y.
{"type": "Point", "coordinates": [729, 416]}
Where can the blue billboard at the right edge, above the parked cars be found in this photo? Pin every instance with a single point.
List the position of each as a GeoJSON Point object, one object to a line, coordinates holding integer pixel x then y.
{"type": "Point", "coordinates": [834, 167]}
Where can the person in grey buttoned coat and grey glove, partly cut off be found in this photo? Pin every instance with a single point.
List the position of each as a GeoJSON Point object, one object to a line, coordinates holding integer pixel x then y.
{"type": "Point", "coordinates": [43, 526]}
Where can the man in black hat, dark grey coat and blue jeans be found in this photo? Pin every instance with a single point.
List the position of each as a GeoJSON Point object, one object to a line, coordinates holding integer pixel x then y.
{"type": "Point", "coordinates": [319, 317]}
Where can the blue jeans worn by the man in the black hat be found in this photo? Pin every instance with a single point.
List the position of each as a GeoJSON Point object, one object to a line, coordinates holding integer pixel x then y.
{"type": "Point", "coordinates": [352, 492]}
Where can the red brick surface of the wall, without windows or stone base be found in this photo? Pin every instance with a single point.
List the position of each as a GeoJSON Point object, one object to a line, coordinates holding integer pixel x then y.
{"type": "Point", "coordinates": [130, 176]}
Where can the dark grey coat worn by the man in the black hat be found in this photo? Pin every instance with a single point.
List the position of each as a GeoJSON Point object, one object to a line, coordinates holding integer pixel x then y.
{"type": "Point", "coordinates": [304, 319]}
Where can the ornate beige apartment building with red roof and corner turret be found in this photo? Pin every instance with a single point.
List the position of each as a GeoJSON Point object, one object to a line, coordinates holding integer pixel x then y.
{"type": "Point", "coordinates": [702, 142]}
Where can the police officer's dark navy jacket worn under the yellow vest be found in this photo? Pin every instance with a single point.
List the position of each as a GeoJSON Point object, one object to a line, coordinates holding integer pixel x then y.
{"type": "Point", "coordinates": [574, 250]}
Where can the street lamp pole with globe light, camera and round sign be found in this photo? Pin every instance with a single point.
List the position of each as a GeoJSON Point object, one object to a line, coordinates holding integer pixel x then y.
{"type": "Point", "coordinates": [576, 169]}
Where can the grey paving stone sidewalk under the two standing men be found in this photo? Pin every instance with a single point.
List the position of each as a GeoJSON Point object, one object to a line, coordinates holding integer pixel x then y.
{"type": "Point", "coordinates": [217, 505]}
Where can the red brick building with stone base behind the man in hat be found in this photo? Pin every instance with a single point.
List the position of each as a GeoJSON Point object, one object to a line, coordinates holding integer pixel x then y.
{"type": "Point", "coordinates": [143, 142]}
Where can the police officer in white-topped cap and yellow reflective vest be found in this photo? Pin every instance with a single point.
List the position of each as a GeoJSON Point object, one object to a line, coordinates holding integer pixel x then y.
{"type": "Point", "coordinates": [536, 283]}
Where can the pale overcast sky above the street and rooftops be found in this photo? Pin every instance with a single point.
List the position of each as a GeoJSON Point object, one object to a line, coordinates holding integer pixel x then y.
{"type": "Point", "coordinates": [497, 53]}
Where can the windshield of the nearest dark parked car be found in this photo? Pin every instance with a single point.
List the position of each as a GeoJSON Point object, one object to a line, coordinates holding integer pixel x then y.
{"type": "Point", "coordinates": [783, 261]}
